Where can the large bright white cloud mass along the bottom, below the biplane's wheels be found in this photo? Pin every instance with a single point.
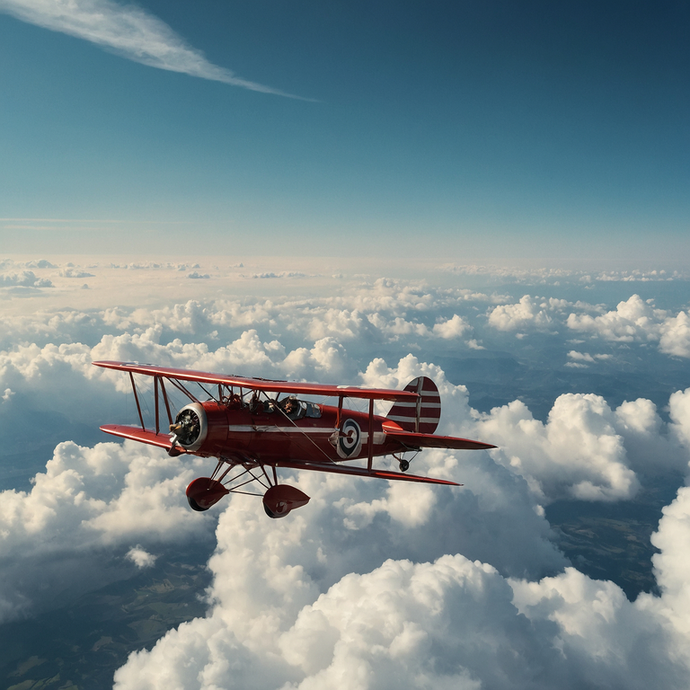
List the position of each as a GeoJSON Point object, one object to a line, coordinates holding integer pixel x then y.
{"type": "Point", "coordinates": [446, 623]}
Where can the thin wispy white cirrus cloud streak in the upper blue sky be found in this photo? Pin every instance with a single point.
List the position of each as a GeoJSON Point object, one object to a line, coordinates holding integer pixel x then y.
{"type": "Point", "coordinates": [130, 32]}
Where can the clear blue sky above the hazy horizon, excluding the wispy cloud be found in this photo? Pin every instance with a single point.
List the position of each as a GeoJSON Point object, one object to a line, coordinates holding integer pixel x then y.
{"type": "Point", "coordinates": [476, 130]}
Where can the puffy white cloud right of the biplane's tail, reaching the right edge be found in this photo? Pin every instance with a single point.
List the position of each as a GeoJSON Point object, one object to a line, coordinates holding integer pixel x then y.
{"type": "Point", "coordinates": [587, 450]}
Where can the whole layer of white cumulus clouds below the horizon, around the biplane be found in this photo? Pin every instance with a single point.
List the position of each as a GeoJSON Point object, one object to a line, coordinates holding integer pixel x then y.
{"type": "Point", "coordinates": [372, 584]}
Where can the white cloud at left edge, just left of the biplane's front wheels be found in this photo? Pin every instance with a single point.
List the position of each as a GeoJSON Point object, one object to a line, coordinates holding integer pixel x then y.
{"type": "Point", "coordinates": [88, 499]}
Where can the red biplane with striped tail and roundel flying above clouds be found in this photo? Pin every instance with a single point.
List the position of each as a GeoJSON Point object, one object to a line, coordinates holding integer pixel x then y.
{"type": "Point", "coordinates": [252, 431]}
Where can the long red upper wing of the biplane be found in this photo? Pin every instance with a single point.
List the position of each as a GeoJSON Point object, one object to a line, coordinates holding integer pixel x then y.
{"type": "Point", "coordinates": [260, 384]}
